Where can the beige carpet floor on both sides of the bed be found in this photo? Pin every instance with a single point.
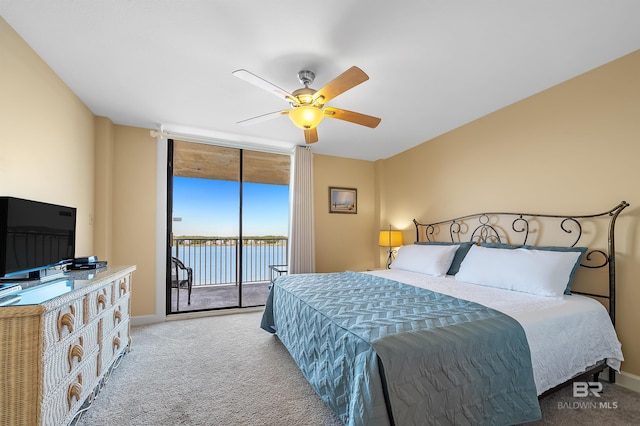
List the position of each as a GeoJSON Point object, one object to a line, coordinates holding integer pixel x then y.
{"type": "Point", "coordinates": [225, 370]}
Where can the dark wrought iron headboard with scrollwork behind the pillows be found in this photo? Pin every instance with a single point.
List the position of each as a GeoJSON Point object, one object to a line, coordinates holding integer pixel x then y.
{"type": "Point", "coordinates": [522, 228]}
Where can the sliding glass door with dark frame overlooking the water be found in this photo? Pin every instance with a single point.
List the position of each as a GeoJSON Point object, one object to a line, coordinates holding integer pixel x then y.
{"type": "Point", "coordinates": [229, 222]}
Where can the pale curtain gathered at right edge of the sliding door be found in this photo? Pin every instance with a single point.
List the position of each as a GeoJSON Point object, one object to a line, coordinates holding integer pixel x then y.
{"type": "Point", "coordinates": [301, 240]}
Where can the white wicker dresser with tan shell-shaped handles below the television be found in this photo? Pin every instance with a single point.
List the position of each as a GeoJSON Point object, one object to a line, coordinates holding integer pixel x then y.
{"type": "Point", "coordinates": [59, 342]}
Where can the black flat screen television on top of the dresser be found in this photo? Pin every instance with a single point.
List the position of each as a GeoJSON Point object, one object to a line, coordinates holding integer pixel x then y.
{"type": "Point", "coordinates": [34, 236]}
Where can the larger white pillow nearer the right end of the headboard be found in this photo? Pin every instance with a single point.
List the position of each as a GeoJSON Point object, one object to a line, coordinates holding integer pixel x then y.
{"type": "Point", "coordinates": [540, 272]}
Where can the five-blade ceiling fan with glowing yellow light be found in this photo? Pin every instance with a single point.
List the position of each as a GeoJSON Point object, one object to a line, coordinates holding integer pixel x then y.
{"type": "Point", "coordinates": [308, 105]}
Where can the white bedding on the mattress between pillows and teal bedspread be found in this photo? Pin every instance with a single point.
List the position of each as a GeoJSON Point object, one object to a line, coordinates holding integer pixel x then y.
{"type": "Point", "coordinates": [566, 335]}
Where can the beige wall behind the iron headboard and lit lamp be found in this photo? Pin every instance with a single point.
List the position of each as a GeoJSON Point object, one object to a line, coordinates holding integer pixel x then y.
{"type": "Point", "coordinates": [568, 150]}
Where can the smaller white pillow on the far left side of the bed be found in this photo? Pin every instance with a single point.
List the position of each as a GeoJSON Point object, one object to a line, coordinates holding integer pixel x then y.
{"type": "Point", "coordinates": [430, 260]}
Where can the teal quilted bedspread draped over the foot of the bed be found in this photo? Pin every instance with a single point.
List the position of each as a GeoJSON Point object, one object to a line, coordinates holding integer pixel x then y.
{"type": "Point", "coordinates": [380, 352]}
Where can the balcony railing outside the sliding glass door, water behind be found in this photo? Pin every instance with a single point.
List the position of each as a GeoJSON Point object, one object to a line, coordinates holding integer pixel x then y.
{"type": "Point", "coordinates": [215, 261]}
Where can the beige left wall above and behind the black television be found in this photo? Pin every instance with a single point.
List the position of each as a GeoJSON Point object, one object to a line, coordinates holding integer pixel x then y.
{"type": "Point", "coordinates": [46, 148]}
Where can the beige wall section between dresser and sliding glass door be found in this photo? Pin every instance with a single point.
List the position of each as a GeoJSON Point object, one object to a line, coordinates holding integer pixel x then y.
{"type": "Point", "coordinates": [125, 203]}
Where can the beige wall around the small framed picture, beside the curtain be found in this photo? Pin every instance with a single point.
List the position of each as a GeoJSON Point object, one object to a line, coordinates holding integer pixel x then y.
{"type": "Point", "coordinates": [344, 241]}
